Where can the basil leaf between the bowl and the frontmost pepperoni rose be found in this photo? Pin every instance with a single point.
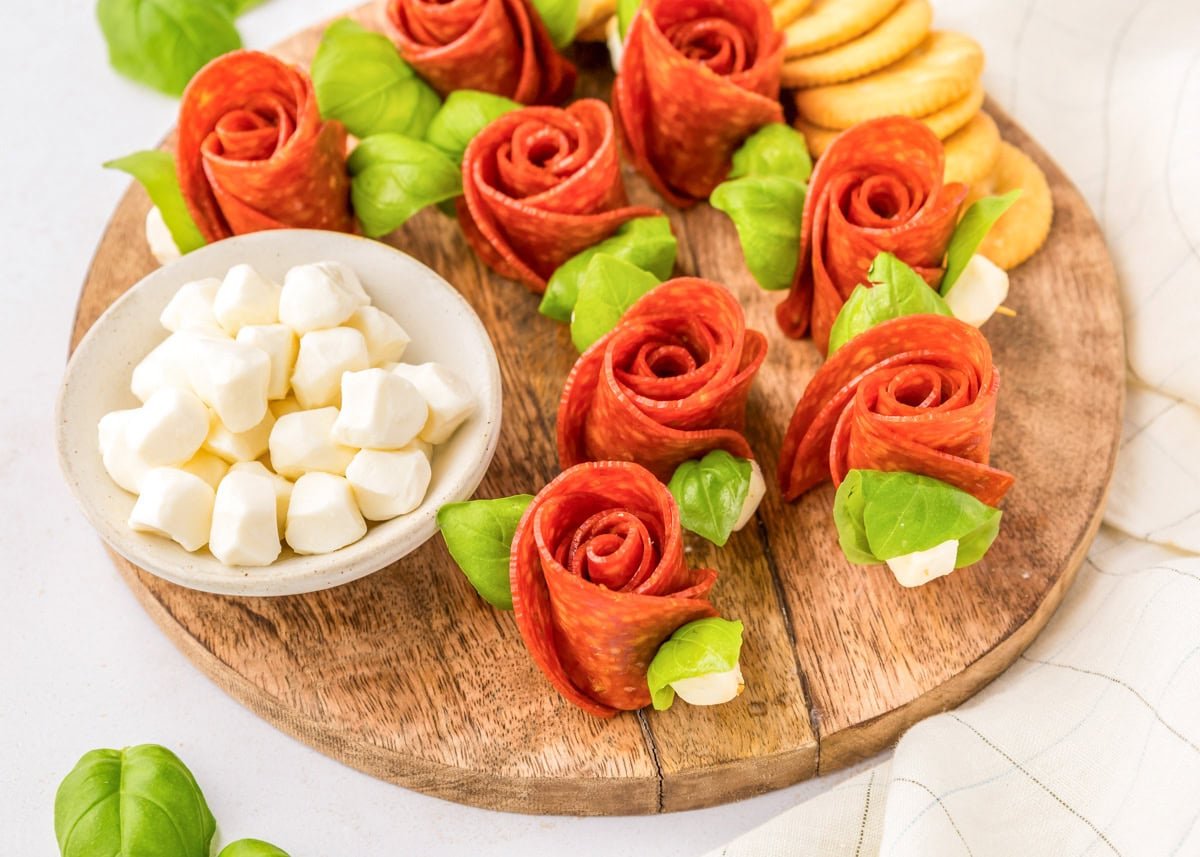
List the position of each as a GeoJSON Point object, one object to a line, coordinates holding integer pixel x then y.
{"type": "Point", "coordinates": [479, 537]}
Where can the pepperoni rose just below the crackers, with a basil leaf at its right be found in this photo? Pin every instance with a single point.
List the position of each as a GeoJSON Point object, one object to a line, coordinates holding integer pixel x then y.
{"type": "Point", "coordinates": [878, 189]}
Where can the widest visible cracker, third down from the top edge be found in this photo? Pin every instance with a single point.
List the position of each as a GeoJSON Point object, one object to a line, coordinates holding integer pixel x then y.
{"type": "Point", "coordinates": [941, 71]}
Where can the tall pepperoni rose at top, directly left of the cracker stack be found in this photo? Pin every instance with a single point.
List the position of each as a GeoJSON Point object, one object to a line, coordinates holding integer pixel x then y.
{"type": "Point", "coordinates": [698, 77]}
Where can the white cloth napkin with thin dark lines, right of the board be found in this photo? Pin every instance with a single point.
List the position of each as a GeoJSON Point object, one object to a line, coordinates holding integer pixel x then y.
{"type": "Point", "coordinates": [1090, 745]}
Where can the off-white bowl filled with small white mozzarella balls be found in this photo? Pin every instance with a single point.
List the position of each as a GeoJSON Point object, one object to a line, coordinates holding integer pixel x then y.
{"type": "Point", "coordinates": [279, 413]}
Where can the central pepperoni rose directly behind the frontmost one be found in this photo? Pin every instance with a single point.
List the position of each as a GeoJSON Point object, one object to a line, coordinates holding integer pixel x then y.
{"type": "Point", "coordinates": [669, 383]}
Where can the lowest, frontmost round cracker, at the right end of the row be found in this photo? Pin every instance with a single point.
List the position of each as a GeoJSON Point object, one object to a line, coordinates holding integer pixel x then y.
{"type": "Point", "coordinates": [1023, 230]}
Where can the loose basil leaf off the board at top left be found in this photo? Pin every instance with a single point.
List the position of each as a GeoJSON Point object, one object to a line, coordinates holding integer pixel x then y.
{"type": "Point", "coordinates": [163, 44]}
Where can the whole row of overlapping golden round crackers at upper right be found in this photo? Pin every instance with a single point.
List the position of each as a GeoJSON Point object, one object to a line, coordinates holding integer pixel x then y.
{"type": "Point", "coordinates": [853, 61]}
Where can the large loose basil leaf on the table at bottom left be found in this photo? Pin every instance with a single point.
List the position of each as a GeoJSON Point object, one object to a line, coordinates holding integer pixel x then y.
{"type": "Point", "coordinates": [139, 801]}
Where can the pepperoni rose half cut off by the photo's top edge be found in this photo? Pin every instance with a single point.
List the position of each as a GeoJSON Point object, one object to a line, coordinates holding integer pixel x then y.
{"type": "Point", "coordinates": [495, 46]}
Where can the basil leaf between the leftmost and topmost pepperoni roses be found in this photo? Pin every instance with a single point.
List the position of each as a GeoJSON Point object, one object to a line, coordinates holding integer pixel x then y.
{"type": "Point", "coordinates": [362, 81]}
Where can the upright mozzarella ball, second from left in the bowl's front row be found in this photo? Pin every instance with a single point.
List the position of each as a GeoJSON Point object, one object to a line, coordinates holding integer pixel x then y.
{"type": "Point", "coordinates": [245, 528]}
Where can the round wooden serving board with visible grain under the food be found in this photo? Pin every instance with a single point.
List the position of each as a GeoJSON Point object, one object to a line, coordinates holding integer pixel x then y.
{"type": "Point", "coordinates": [409, 676]}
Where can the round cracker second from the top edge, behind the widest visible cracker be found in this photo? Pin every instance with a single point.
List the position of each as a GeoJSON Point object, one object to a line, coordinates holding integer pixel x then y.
{"type": "Point", "coordinates": [891, 40]}
